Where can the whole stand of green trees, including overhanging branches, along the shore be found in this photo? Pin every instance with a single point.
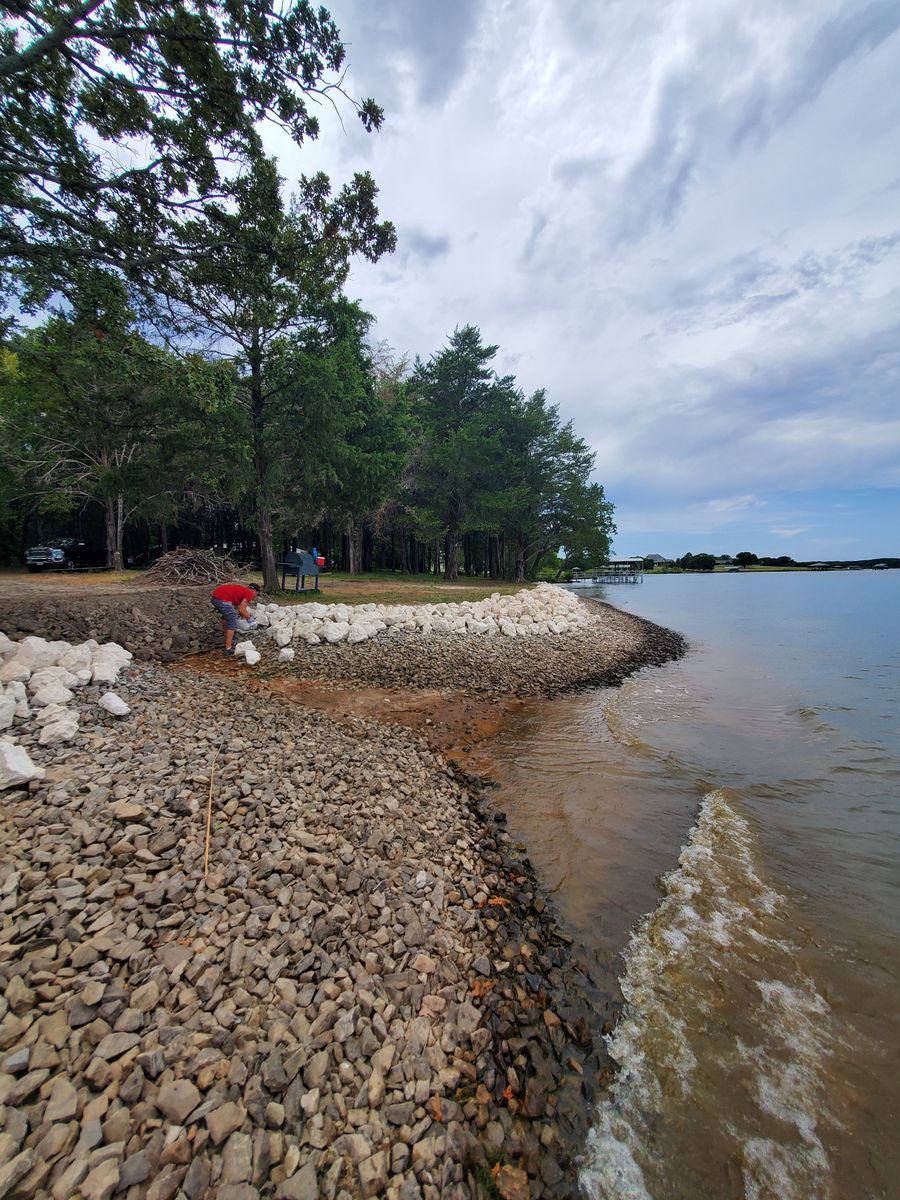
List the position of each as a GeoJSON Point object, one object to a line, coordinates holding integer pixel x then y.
{"type": "Point", "coordinates": [181, 361]}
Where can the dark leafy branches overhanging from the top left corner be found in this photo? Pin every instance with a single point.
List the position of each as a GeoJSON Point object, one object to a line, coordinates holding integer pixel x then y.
{"type": "Point", "coordinates": [119, 119]}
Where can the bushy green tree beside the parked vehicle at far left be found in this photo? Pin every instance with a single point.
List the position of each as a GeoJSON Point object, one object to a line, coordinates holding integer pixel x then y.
{"type": "Point", "coordinates": [95, 415]}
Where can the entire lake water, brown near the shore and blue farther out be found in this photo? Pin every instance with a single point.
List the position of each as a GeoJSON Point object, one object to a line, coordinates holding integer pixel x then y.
{"type": "Point", "coordinates": [724, 833]}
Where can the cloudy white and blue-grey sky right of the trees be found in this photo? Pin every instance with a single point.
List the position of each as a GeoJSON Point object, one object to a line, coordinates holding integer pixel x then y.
{"type": "Point", "coordinates": [682, 218]}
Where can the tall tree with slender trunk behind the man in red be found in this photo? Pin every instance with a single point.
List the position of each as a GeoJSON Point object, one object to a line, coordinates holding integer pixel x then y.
{"type": "Point", "coordinates": [269, 304]}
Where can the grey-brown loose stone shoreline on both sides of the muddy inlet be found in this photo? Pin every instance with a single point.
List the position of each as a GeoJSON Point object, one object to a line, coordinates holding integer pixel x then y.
{"type": "Point", "coordinates": [367, 995]}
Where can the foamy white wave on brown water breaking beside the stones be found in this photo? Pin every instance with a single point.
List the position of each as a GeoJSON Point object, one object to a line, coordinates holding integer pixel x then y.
{"type": "Point", "coordinates": [716, 957]}
